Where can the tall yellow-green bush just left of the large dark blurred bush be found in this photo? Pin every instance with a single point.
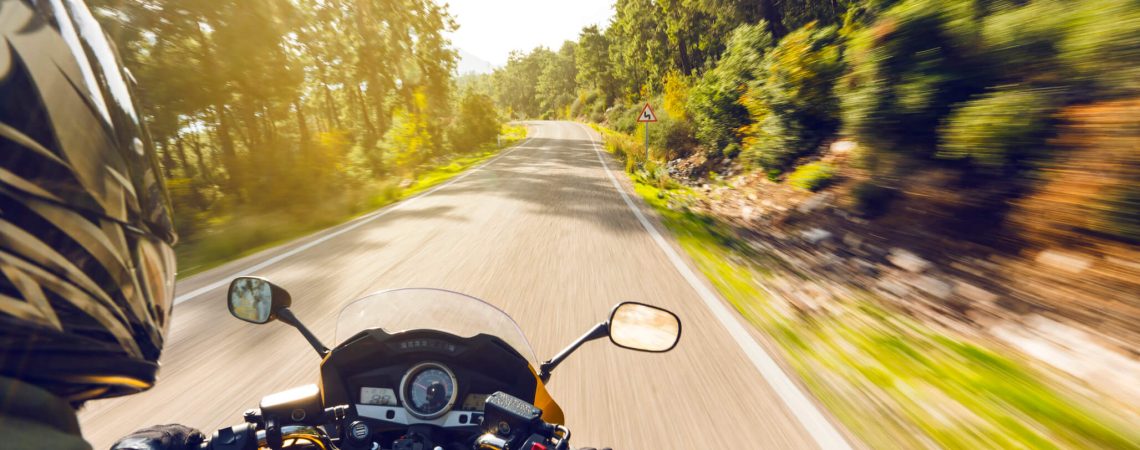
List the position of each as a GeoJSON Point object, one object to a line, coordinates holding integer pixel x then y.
{"type": "Point", "coordinates": [793, 107]}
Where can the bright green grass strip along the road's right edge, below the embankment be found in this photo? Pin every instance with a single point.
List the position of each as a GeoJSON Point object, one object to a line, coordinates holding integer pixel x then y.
{"type": "Point", "coordinates": [892, 381]}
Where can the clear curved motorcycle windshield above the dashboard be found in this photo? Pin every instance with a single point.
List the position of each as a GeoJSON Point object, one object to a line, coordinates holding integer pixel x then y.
{"type": "Point", "coordinates": [402, 310]}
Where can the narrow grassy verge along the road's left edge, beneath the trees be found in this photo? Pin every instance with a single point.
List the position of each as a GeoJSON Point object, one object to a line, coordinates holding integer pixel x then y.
{"type": "Point", "coordinates": [238, 235]}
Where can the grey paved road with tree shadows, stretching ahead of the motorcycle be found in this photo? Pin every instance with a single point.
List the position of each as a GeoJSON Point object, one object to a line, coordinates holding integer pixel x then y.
{"type": "Point", "coordinates": [543, 234]}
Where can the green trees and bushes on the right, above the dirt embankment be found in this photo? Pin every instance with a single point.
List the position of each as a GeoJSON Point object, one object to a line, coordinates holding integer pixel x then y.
{"type": "Point", "coordinates": [974, 86]}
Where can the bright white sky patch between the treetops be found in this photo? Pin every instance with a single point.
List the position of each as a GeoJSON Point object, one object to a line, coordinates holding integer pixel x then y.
{"type": "Point", "coordinates": [491, 29]}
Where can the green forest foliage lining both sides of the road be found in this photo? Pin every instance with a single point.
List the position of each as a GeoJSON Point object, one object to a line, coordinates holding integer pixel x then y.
{"type": "Point", "coordinates": [262, 107]}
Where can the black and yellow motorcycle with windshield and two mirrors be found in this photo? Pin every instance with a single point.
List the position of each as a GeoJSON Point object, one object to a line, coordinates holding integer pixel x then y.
{"type": "Point", "coordinates": [422, 370]}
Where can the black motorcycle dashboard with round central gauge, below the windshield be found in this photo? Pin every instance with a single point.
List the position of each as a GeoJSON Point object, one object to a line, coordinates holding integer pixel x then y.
{"type": "Point", "coordinates": [425, 378]}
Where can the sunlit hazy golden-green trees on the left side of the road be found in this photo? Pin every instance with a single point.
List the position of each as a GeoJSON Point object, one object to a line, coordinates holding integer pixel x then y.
{"type": "Point", "coordinates": [305, 109]}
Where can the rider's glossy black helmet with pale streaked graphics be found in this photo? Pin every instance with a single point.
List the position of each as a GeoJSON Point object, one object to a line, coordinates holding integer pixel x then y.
{"type": "Point", "coordinates": [87, 272]}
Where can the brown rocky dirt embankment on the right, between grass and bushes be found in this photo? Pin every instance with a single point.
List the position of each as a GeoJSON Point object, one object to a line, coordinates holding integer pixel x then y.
{"type": "Point", "coordinates": [1052, 269]}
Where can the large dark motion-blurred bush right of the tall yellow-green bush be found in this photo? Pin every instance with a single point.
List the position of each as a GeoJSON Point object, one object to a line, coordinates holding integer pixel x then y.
{"type": "Point", "coordinates": [908, 71]}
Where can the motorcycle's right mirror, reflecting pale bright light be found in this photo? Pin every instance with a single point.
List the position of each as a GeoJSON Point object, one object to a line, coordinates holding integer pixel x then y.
{"type": "Point", "coordinates": [644, 328]}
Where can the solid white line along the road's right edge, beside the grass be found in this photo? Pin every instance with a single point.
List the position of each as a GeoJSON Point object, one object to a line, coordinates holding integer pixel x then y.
{"type": "Point", "coordinates": [825, 435]}
